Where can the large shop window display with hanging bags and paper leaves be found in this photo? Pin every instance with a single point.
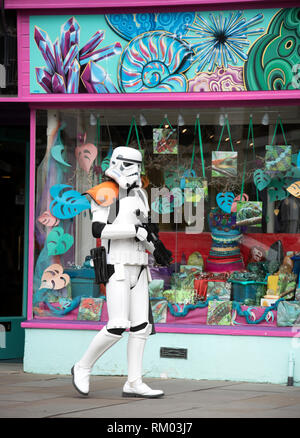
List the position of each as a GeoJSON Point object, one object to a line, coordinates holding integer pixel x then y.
{"type": "Point", "coordinates": [221, 183]}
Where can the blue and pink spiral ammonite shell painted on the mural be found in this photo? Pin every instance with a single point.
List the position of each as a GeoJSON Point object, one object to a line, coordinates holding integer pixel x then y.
{"type": "Point", "coordinates": [155, 62]}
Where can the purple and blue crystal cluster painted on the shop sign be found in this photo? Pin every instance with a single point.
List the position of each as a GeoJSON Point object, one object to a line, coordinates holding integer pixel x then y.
{"type": "Point", "coordinates": [70, 69]}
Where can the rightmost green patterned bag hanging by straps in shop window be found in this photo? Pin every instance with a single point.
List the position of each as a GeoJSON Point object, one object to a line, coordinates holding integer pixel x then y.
{"type": "Point", "coordinates": [278, 159]}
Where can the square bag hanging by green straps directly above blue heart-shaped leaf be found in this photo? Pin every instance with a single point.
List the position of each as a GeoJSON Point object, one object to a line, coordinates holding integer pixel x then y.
{"type": "Point", "coordinates": [224, 164]}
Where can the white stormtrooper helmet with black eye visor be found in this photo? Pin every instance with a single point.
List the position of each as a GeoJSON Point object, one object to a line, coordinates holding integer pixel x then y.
{"type": "Point", "coordinates": [125, 166]}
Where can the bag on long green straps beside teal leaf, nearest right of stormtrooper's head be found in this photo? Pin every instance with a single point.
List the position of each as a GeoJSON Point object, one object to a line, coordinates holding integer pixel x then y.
{"type": "Point", "coordinates": [189, 179]}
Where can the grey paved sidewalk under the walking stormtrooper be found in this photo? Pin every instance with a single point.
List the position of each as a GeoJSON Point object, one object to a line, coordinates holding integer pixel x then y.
{"type": "Point", "coordinates": [24, 395]}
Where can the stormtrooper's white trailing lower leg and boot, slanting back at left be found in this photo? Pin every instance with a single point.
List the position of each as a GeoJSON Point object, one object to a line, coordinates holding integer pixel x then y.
{"type": "Point", "coordinates": [81, 371]}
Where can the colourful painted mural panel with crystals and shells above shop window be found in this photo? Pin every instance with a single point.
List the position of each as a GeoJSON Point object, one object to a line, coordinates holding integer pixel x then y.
{"type": "Point", "coordinates": [165, 52]}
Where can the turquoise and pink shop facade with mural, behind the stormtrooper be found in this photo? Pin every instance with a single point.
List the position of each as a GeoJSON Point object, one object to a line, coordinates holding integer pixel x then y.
{"type": "Point", "coordinates": [209, 91]}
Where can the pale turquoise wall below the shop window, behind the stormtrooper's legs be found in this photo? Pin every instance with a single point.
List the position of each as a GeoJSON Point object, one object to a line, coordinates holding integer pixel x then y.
{"type": "Point", "coordinates": [211, 357]}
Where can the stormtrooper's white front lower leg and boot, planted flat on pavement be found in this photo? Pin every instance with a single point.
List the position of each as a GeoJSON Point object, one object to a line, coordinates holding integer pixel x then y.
{"type": "Point", "coordinates": [134, 387]}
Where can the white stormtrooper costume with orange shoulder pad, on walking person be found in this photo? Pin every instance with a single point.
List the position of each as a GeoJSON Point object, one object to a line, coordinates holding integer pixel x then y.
{"type": "Point", "coordinates": [125, 241]}
